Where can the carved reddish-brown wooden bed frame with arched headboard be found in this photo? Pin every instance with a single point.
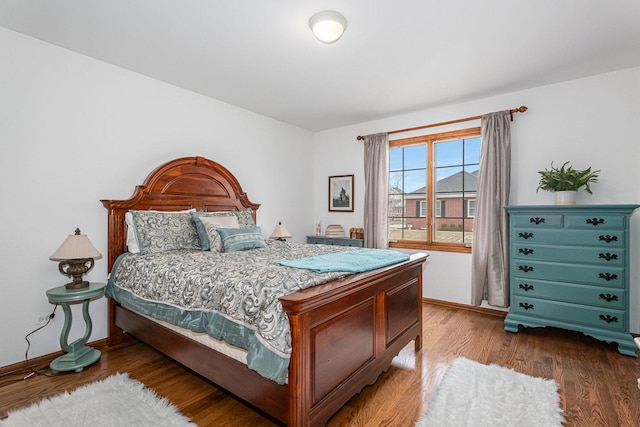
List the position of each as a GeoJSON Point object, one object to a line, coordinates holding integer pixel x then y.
{"type": "Point", "coordinates": [344, 333]}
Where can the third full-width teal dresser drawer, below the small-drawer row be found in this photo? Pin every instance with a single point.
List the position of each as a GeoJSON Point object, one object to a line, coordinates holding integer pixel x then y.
{"type": "Point", "coordinates": [607, 276]}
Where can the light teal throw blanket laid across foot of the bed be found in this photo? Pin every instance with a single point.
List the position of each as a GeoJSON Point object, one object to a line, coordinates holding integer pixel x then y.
{"type": "Point", "coordinates": [352, 261]}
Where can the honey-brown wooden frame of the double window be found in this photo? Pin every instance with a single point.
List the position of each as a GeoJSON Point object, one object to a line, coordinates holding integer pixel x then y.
{"type": "Point", "coordinates": [430, 141]}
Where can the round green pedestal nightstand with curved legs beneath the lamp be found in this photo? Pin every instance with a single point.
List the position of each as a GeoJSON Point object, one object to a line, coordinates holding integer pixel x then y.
{"type": "Point", "coordinates": [78, 355]}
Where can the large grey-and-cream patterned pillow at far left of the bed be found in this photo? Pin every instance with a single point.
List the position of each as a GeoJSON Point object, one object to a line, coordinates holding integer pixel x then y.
{"type": "Point", "coordinates": [165, 231]}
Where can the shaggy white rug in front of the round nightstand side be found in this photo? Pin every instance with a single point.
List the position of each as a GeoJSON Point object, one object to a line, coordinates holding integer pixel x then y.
{"type": "Point", "coordinates": [115, 401]}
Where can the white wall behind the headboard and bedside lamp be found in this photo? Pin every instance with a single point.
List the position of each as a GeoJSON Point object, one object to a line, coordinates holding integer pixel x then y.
{"type": "Point", "coordinates": [74, 130]}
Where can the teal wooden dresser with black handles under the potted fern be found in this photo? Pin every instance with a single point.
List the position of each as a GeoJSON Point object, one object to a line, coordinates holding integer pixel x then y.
{"type": "Point", "coordinates": [569, 268]}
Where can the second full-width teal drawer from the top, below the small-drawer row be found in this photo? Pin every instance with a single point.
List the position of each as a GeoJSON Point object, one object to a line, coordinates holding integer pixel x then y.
{"type": "Point", "coordinates": [578, 254]}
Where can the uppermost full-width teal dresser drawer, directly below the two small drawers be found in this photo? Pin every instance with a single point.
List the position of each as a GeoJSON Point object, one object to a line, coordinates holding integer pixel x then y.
{"type": "Point", "coordinates": [602, 238]}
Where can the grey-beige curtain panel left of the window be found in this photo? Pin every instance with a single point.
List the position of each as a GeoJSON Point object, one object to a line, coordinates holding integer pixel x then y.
{"type": "Point", "coordinates": [376, 190]}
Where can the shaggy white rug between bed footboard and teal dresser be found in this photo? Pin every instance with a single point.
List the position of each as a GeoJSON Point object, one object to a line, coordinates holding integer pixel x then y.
{"type": "Point", "coordinates": [475, 395]}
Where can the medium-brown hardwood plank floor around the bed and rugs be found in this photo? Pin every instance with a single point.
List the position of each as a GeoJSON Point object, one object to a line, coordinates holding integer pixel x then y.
{"type": "Point", "coordinates": [598, 386]}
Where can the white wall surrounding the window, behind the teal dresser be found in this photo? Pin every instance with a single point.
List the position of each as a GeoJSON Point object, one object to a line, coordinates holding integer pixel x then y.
{"type": "Point", "coordinates": [593, 121]}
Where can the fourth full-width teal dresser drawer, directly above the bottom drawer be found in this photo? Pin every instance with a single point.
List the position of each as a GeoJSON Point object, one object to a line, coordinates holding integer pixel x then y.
{"type": "Point", "coordinates": [578, 294]}
